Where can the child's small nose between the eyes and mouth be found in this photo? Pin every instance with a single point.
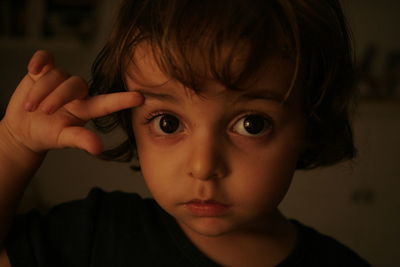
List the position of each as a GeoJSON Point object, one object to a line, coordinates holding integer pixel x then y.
{"type": "Point", "coordinates": [207, 158]}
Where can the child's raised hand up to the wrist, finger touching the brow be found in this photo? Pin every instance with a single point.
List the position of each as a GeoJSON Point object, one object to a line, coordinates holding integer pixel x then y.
{"type": "Point", "coordinates": [49, 109]}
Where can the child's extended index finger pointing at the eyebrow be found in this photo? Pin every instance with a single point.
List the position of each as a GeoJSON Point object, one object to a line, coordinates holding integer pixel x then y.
{"type": "Point", "coordinates": [103, 105]}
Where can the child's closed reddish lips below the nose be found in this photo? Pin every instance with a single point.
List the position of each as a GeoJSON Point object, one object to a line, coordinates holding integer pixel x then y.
{"type": "Point", "coordinates": [206, 209]}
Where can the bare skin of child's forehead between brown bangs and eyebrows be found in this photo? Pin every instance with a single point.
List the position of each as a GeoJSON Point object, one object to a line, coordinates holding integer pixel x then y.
{"type": "Point", "coordinates": [144, 71]}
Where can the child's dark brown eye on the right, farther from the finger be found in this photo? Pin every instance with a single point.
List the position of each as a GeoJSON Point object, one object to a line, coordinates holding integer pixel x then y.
{"type": "Point", "coordinates": [252, 125]}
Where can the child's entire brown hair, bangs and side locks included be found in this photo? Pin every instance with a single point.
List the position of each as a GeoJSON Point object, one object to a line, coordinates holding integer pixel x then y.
{"type": "Point", "coordinates": [313, 33]}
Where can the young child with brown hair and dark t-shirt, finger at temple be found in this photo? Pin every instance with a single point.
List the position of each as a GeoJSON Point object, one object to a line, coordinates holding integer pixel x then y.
{"type": "Point", "coordinates": [221, 103]}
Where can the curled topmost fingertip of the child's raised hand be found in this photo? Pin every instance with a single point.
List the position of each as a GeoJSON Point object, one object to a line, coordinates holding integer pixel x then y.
{"type": "Point", "coordinates": [41, 62]}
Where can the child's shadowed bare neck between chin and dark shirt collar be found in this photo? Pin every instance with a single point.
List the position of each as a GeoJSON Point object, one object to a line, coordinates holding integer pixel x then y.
{"type": "Point", "coordinates": [246, 248]}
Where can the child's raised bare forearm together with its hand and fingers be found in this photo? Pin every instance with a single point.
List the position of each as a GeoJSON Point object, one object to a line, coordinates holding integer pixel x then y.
{"type": "Point", "coordinates": [47, 111]}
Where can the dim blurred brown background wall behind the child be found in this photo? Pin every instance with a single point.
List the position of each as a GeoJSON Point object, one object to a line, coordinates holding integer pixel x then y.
{"type": "Point", "coordinates": [355, 202]}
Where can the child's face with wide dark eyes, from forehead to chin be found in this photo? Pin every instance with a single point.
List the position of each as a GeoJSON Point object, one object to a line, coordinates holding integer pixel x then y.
{"type": "Point", "coordinates": [221, 161]}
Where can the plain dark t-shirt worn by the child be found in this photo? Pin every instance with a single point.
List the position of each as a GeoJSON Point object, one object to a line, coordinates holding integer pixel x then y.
{"type": "Point", "coordinates": [122, 229]}
